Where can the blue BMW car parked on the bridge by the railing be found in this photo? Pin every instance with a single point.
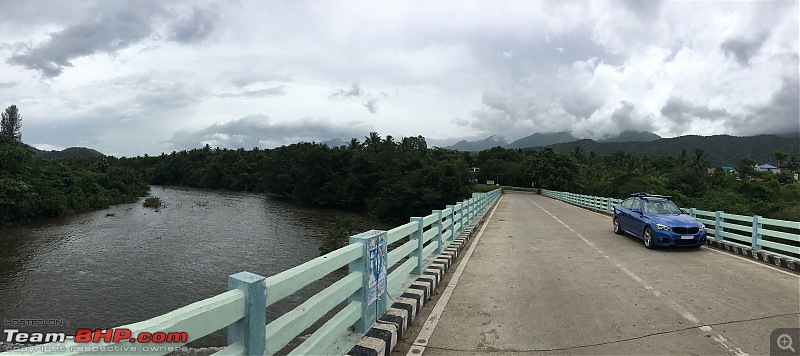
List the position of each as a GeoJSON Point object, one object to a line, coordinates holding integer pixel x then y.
{"type": "Point", "coordinates": [658, 222]}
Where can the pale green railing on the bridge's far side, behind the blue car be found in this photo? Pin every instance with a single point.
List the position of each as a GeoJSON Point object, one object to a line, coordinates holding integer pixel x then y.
{"type": "Point", "coordinates": [779, 236]}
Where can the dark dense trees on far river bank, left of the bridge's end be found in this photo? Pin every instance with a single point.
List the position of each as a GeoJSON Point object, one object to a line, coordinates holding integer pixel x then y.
{"type": "Point", "coordinates": [390, 179]}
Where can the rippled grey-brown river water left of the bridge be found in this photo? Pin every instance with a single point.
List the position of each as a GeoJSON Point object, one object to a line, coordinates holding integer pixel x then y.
{"type": "Point", "coordinates": [128, 263]}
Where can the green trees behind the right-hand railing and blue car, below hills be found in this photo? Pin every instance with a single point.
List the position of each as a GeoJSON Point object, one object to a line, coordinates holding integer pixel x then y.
{"type": "Point", "coordinates": [684, 176]}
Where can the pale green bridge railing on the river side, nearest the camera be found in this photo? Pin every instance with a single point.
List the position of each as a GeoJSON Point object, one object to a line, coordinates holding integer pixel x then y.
{"type": "Point", "coordinates": [242, 309]}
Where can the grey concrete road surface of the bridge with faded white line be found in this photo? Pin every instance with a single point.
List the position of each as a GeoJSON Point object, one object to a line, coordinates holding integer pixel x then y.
{"type": "Point", "coordinates": [551, 278]}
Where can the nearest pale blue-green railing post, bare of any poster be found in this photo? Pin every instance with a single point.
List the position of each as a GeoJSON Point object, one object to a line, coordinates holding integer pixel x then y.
{"type": "Point", "coordinates": [251, 331]}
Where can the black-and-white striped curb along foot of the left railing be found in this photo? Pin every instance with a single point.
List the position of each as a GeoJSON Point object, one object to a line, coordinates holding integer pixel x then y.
{"type": "Point", "coordinates": [382, 337]}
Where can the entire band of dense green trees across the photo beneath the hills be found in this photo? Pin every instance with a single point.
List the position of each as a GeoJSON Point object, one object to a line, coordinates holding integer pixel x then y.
{"type": "Point", "coordinates": [390, 179]}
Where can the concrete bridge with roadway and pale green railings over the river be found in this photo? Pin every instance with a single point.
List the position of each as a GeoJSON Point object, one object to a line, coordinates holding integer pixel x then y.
{"type": "Point", "coordinates": [504, 274]}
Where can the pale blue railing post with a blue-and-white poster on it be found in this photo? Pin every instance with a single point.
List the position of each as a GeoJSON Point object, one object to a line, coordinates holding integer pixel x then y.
{"type": "Point", "coordinates": [372, 266]}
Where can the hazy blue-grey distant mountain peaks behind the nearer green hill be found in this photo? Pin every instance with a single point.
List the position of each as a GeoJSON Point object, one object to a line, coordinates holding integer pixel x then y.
{"type": "Point", "coordinates": [540, 139]}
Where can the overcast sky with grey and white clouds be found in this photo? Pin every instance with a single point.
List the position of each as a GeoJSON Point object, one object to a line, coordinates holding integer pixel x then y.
{"type": "Point", "coordinates": [135, 77]}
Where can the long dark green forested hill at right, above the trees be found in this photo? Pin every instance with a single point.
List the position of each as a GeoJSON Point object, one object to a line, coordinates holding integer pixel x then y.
{"type": "Point", "coordinates": [720, 149]}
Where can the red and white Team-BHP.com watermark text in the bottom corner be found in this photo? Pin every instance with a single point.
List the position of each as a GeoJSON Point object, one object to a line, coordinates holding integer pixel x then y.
{"type": "Point", "coordinates": [90, 336]}
